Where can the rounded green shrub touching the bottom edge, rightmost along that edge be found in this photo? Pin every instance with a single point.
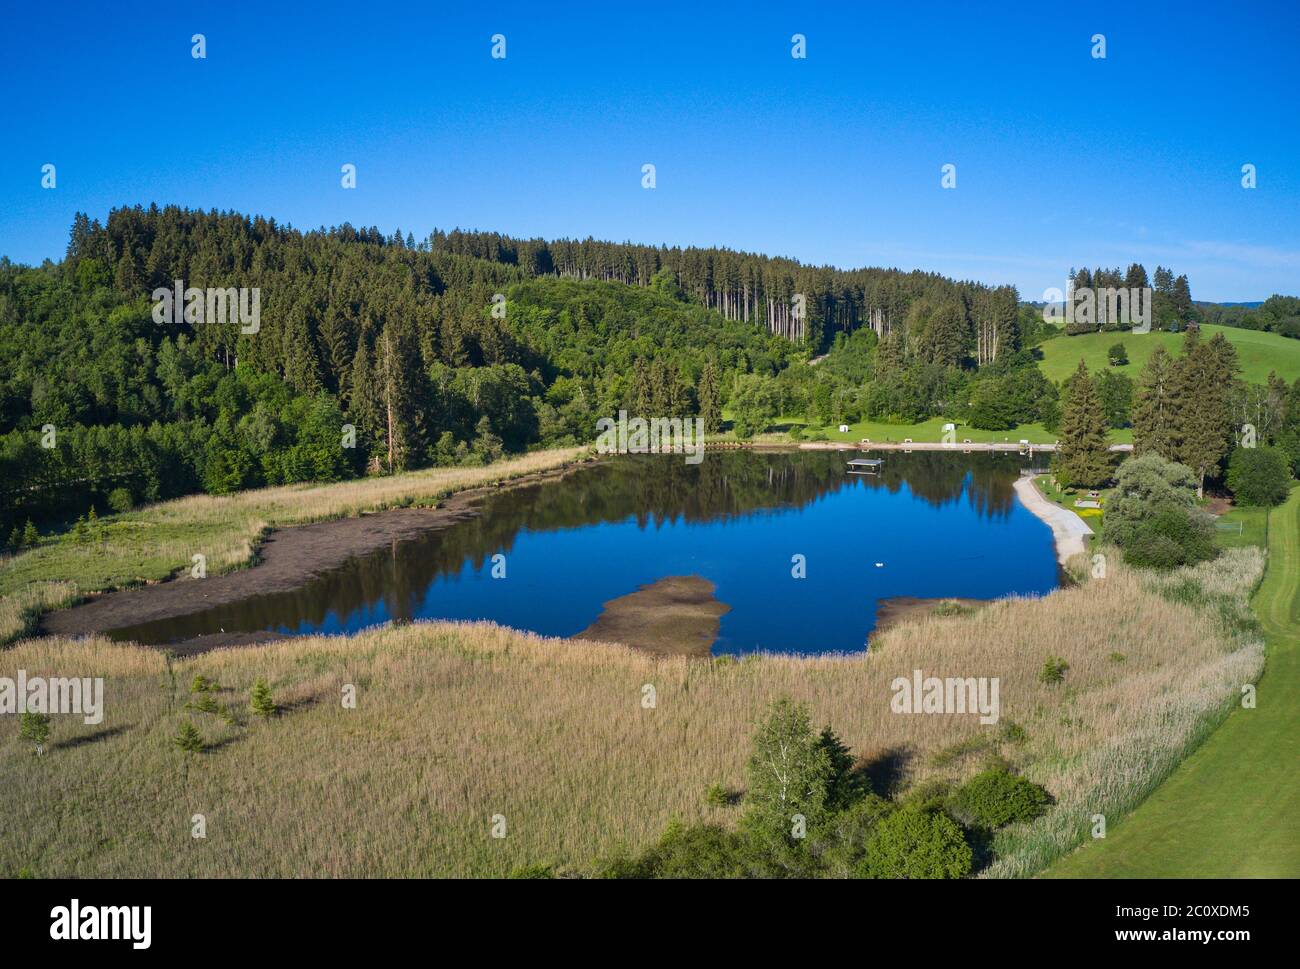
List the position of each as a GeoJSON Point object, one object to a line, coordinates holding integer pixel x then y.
{"type": "Point", "coordinates": [913, 843]}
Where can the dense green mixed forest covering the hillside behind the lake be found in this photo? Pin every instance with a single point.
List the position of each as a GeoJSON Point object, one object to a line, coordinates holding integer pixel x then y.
{"type": "Point", "coordinates": [379, 353]}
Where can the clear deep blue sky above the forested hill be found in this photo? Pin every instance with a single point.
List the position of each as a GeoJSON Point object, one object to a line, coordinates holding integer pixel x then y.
{"type": "Point", "coordinates": [1061, 159]}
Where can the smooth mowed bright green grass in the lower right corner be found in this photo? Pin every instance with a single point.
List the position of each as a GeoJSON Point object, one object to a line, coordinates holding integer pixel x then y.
{"type": "Point", "coordinates": [1233, 808]}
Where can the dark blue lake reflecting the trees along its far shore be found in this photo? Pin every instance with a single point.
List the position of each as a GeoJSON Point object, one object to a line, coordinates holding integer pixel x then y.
{"type": "Point", "coordinates": [928, 525]}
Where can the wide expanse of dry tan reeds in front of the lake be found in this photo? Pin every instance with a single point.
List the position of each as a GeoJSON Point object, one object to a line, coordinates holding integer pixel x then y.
{"type": "Point", "coordinates": [457, 724]}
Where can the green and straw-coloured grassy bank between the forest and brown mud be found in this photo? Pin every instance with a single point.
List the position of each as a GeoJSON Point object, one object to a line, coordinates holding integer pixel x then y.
{"type": "Point", "coordinates": [159, 540]}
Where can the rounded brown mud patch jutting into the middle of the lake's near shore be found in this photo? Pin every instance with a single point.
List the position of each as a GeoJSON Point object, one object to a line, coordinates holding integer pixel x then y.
{"type": "Point", "coordinates": [677, 616]}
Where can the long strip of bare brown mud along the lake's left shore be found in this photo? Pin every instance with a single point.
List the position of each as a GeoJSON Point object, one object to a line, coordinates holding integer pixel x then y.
{"type": "Point", "coordinates": [288, 560]}
